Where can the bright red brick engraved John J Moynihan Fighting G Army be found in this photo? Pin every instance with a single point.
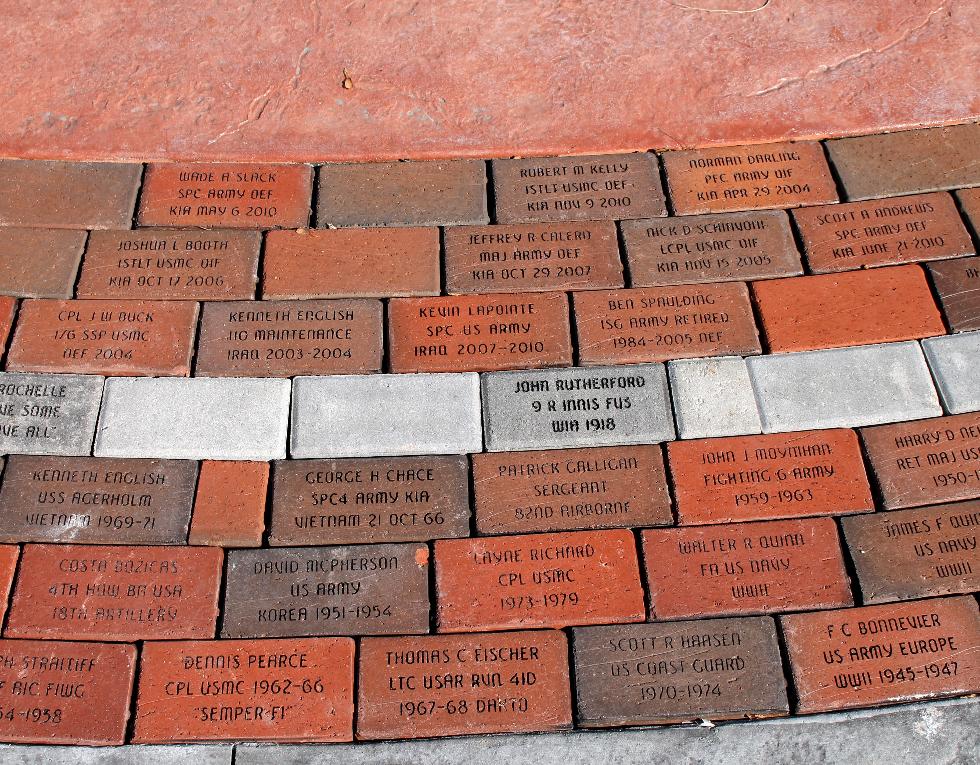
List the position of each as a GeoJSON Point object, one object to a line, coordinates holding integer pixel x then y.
{"type": "Point", "coordinates": [748, 478]}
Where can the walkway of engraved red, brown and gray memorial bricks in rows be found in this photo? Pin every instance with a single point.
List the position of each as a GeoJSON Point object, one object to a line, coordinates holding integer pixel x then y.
{"type": "Point", "coordinates": [362, 452]}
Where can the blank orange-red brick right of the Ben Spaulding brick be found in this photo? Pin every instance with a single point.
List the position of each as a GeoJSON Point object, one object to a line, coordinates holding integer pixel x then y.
{"type": "Point", "coordinates": [851, 308]}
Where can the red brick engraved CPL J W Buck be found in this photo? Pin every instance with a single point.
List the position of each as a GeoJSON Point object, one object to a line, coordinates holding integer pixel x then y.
{"type": "Point", "coordinates": [110, 337]}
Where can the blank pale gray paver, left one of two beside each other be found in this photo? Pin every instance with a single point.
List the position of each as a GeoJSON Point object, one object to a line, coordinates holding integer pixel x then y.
{"type": "Point", "coordinates": [194, 418]}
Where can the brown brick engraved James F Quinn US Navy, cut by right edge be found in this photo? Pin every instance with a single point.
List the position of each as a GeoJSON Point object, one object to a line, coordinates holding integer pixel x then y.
{"type": "Point", "coordinates": [915, 553]}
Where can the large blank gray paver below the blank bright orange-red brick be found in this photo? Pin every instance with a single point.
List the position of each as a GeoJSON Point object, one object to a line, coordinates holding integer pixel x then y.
{"type": "Point", "coordinates": [843, 387]}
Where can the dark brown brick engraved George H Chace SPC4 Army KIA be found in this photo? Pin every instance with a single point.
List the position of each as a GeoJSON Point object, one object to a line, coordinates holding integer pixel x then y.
{"type": "Point", "coordinates": [356, 501]}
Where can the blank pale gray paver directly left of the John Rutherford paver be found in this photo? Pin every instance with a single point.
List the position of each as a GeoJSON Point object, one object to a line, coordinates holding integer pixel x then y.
{"type": "Point", "coordinates": [386, 415]}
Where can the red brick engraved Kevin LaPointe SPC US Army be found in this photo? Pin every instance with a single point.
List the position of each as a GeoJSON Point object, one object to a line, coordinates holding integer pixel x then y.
{"type": "Point", "coordinates": [479, 332]}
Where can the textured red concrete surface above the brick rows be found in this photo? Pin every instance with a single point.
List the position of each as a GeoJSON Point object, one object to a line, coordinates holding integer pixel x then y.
{"type": "Point", "coordinates": [340, 80]}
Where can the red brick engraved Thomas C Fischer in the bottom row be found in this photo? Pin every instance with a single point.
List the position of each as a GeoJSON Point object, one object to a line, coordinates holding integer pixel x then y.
{"type": "Point", "coordinates": [514, 682]}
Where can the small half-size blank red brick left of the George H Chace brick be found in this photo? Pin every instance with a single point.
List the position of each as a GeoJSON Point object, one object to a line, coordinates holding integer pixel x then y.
{"type": "Point", "coordinates": [229, 510]}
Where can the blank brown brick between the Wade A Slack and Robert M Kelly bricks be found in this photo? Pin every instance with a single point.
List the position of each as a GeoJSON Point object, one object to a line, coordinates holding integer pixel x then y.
{"type": "Point", "coordinates": [402, 193]}
